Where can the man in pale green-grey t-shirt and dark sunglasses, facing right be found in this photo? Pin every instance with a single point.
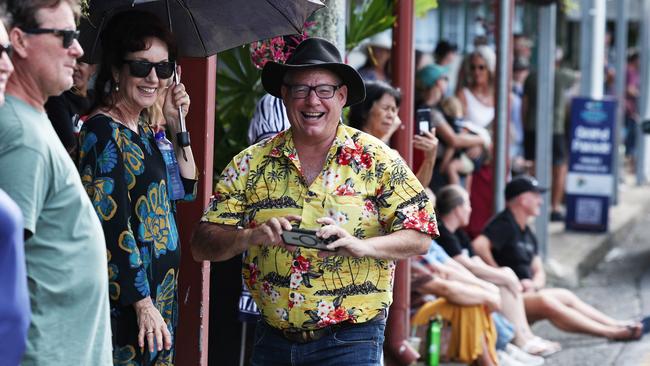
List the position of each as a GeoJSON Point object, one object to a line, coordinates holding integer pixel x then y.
{"type": "Point", "coordinates": [64, 244]}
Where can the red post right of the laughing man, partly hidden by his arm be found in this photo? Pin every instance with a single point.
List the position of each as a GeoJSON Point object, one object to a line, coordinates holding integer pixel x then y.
{"type": "Point", "coordinates": [398, 351]}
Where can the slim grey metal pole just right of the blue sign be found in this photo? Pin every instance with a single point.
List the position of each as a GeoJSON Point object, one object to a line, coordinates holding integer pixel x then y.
{"type": "Point", "coordinates": [621, 49]}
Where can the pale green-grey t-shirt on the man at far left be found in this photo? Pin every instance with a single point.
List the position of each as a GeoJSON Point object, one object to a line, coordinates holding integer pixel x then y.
{"type": "Point", "coordinates": [66, 261]}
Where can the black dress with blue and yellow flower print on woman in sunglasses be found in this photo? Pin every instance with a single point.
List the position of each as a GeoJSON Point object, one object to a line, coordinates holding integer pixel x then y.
{"type": "Point", "coordinates": [125, 176]}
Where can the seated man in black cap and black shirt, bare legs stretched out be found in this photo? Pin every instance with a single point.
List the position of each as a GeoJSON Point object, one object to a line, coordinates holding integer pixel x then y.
{"type": "Point", "coordinates": [508, 241]}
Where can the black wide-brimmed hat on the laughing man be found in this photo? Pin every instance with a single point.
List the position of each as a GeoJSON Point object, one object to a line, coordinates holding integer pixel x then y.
{"type": "Point", "coordinates": [316, 53]}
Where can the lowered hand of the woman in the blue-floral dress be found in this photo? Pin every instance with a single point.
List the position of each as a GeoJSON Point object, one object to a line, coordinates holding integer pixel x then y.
{"type": "Point", "coordinates": [152, 326]}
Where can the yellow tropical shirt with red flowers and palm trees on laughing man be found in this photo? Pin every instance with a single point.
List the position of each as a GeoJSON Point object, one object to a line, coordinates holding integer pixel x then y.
{"type": "Point", "coordinates": [364, 186]}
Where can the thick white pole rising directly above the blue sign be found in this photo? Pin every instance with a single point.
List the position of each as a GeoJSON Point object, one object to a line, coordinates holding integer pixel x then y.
{"type": "Point", "coordinates": [592, 48]}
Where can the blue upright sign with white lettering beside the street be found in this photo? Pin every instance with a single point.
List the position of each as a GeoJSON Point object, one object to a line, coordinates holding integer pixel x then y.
{"type": "Point", "coordinates": [591, 150]}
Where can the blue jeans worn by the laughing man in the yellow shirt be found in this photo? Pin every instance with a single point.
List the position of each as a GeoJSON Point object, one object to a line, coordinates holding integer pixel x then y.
{"type": "Point", "coordinates": [358, 345]}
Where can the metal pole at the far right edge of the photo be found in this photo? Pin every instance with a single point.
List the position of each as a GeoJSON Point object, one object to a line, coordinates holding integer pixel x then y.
{"type": "Point", "coordinates": [644, 98]}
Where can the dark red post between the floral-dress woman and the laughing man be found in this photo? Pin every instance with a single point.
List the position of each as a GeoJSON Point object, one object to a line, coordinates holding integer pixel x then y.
{"type": "Point", "coordinates": [199, 77]}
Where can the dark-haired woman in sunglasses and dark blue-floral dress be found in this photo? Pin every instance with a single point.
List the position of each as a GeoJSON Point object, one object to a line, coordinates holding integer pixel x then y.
{"type": "Point", "coordinates": [124, 172]}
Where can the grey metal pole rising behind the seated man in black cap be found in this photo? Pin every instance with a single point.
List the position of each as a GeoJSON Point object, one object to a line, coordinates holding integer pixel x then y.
{"type": "Point", "coordinates": [544, 120]}
